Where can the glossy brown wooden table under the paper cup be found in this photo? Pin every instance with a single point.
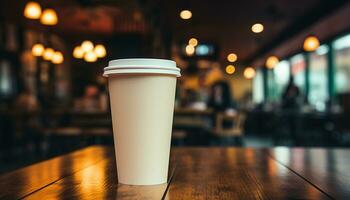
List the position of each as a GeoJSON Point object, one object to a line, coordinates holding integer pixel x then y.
{"type": "Point", "coordinates": [199, 173]}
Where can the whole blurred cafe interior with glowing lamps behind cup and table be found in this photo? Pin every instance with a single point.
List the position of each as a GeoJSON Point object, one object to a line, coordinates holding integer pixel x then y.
{"type": "Point", "coordinates": [255, 73]}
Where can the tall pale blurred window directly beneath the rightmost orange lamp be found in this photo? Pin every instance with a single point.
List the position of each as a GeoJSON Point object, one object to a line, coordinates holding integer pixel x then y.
{"type": "Point", "coordinates": [318, 94]}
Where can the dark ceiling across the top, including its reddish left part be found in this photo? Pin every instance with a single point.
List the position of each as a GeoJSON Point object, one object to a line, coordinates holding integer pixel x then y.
{"type": "Point", "coordinates": [223, 22]}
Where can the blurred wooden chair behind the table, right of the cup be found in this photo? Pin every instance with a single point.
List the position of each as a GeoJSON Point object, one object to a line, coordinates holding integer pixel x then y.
{"type": "Point", "coordinates": [235, 131]}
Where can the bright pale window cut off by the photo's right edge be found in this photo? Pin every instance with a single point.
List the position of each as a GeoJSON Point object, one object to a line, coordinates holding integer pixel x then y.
{"type": "Point", "coordinates": [342, 64]}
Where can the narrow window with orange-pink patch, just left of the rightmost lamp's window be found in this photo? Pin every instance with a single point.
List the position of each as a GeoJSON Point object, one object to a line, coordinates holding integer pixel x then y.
{"type": "Point", "coordinates": [298, 71]}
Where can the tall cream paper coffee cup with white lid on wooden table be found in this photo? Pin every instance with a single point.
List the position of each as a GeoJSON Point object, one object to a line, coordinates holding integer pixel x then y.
{"type": "Point", "coordinates": [142, 94]}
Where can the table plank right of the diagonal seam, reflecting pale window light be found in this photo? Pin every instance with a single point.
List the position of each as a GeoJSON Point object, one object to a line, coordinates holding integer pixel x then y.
{"type": "Point", "coordinates": [326, 169]}
